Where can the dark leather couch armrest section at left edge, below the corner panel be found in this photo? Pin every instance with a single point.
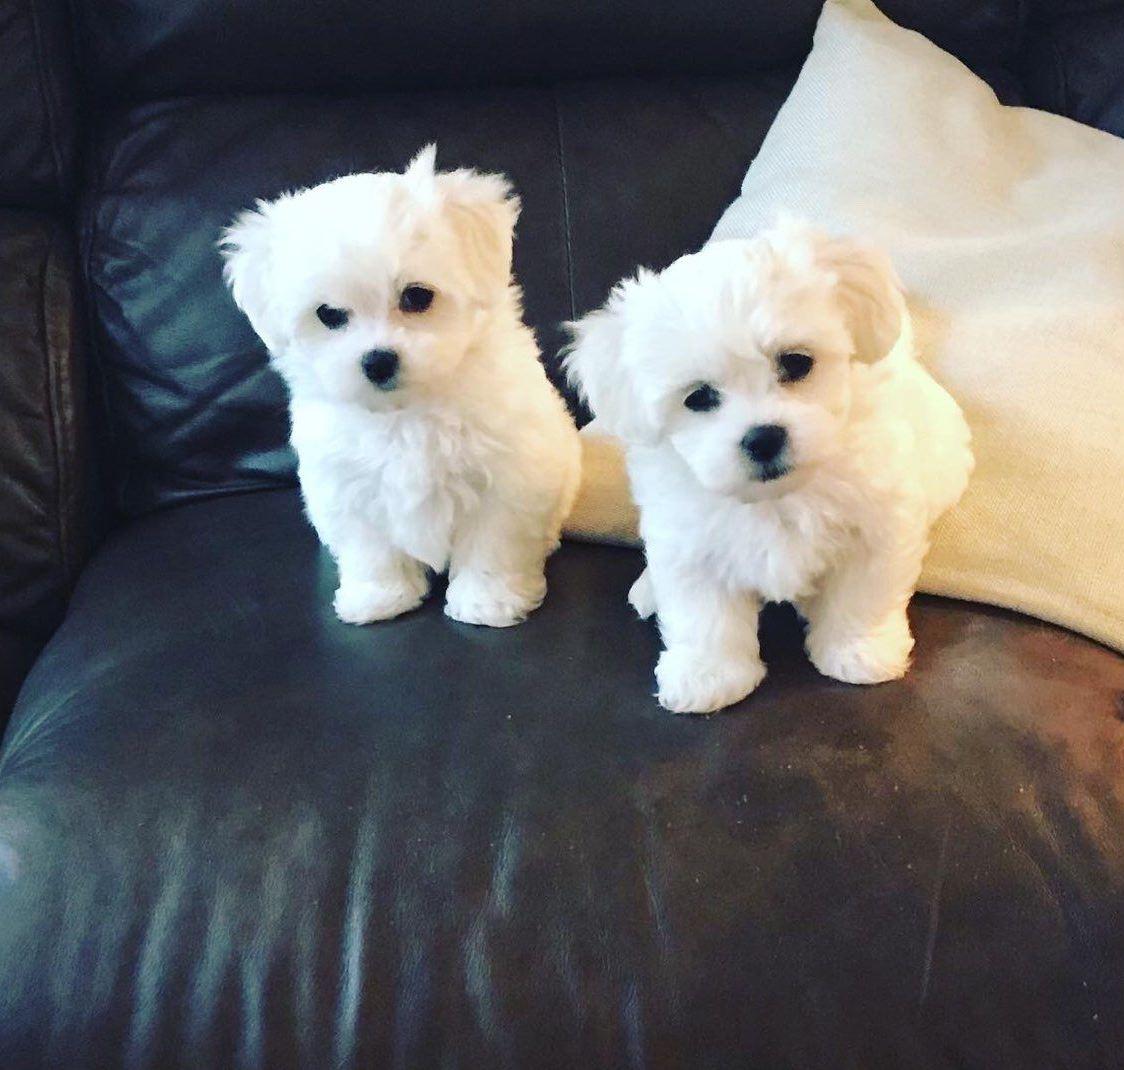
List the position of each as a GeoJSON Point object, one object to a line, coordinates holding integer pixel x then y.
{"type": "Point", "coordinates": [43, 406]}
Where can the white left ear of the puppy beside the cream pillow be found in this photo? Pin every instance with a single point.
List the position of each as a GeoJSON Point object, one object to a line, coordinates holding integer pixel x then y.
{"type": "Point", "coordinates": [595, 366]}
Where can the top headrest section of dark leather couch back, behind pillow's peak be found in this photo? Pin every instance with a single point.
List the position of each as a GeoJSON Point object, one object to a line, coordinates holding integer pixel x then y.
{"type": "Point", "coordinates": [146, 49]}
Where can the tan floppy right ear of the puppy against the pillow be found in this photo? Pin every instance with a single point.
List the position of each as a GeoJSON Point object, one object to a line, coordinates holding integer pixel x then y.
{"type": "Point", "coordinates": [871, 293]}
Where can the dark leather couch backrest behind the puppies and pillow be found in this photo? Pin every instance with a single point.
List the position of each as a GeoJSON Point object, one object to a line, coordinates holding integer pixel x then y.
{"type": "Point", "coordinates": [205, 105]}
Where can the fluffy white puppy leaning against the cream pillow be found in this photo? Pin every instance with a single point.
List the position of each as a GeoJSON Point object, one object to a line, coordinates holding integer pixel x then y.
{"type": "Point", "coordinates": [783, 446]}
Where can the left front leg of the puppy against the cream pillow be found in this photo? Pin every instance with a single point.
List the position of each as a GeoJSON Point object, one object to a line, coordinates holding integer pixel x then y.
{"type": "Point", "coordinates": [712, 658]}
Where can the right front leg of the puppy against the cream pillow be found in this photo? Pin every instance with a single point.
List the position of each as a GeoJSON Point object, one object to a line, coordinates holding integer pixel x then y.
{"type": "Point", "coordinates": [858, 630]}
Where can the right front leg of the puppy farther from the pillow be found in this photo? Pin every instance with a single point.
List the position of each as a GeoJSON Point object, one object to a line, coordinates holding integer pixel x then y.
{"type": "Point", "coordinates": [496, 572]}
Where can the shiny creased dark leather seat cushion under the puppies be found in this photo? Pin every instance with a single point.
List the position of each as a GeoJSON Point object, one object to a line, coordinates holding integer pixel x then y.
{"type": "Point", "coordinates": [237, 832]}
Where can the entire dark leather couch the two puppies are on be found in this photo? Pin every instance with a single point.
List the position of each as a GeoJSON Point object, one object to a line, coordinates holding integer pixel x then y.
{"type": "Point", "coordinates": [238, 833]}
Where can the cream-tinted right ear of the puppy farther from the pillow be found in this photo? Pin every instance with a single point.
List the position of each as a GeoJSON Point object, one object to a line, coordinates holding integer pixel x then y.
{"type": "Point", "coordinates": [483, 211]}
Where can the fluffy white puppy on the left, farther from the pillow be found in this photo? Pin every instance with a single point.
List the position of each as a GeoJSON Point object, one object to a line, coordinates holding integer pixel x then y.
{"type": "Point", "coordinates": [427, 432]}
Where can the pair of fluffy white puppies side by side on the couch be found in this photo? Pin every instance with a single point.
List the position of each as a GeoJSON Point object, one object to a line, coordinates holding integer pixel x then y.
{"type": "Point", "coordinates": [783, 442]}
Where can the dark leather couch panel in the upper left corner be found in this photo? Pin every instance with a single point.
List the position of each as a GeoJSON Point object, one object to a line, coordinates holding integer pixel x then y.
{"type": "Point", "coordinates": [38, 103]}
